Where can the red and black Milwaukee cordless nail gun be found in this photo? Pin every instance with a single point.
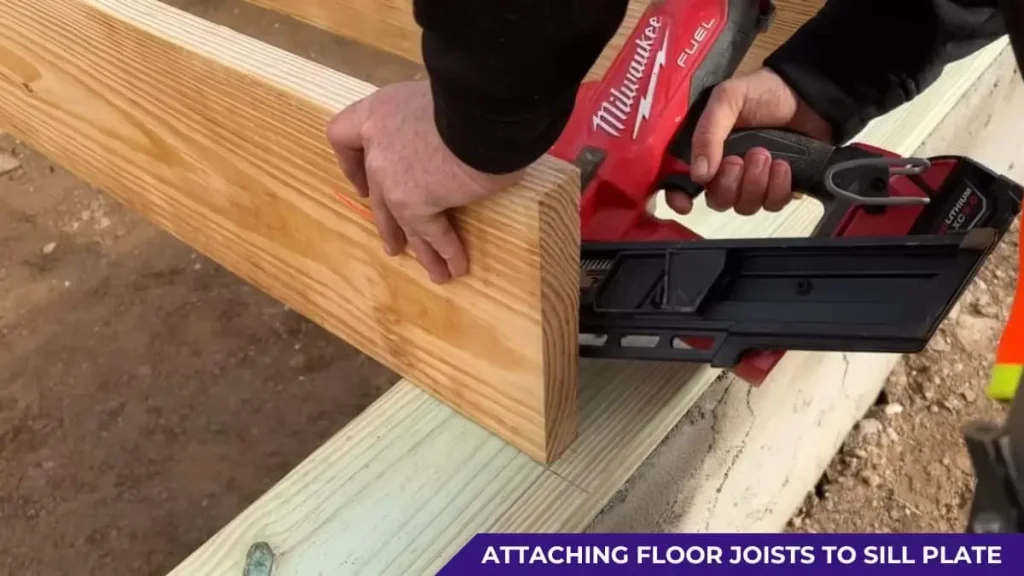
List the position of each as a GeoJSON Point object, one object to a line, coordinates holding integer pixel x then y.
{"type": "Point", "coordinates": [900, 241]}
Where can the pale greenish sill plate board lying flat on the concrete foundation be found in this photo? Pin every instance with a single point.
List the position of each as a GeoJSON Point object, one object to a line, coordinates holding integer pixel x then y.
{"type": "Point", "coordinates": [406, 485]}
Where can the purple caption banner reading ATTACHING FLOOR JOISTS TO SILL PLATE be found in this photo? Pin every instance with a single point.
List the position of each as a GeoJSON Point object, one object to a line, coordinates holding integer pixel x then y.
{"type": "Point", "coordinates": [790, 555]}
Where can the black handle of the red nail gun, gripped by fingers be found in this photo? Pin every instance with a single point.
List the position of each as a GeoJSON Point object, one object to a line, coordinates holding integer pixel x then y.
{"type": "Point", "coordinates": [808, 158]}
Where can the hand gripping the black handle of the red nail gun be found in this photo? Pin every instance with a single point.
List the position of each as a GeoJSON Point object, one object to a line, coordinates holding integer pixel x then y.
{"type": "Point", "coordinates": [760, 100]}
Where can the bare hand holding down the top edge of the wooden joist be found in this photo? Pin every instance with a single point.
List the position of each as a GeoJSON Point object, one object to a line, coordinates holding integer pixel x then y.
{"type": "Point", "coordinates": [389, 146]}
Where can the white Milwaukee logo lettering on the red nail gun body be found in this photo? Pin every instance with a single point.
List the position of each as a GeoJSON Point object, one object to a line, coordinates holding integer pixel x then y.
{"type": "Point", "coordinates": [615, 112]}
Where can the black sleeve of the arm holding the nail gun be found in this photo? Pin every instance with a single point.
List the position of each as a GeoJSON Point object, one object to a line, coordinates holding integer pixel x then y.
{"type": "Point", "coordinates": [857, 60]}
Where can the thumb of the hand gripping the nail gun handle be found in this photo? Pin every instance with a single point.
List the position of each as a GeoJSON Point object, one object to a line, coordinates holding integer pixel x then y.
{"type": "Point", "coordinates": [718, 119]}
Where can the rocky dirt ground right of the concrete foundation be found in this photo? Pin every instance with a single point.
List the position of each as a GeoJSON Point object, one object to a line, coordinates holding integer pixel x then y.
{"type": "Point", "coordinates": [905, 468]}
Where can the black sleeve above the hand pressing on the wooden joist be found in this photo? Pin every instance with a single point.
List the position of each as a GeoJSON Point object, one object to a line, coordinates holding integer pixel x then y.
{"type": "Point", "coordinates": [505, 74]}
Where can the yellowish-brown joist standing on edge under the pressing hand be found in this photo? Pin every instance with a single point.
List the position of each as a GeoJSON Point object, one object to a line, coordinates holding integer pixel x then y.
{"type": "Point", "coordinates": [220, 140]}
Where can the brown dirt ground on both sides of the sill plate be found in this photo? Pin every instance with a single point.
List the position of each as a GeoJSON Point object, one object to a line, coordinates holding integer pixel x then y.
{"type": "Point", "coordinates": [148, 396]}
